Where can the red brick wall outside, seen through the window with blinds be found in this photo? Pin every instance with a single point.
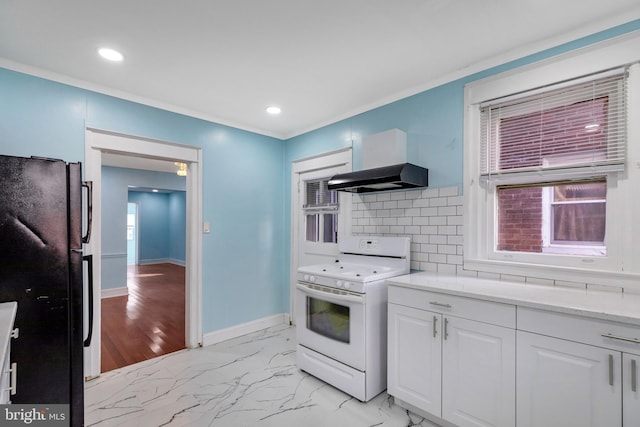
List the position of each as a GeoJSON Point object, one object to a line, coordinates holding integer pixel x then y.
{"type": "Point", "coordinates": [525, 141]}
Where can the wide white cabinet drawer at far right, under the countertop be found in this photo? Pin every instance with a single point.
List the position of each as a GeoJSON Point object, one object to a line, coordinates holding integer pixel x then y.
{"type": "Point", "coordinates": [601, 333]}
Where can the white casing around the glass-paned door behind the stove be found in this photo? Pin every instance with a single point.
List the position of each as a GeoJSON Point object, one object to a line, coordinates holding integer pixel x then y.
{"type": "Point", "coordinates": [331, 159]}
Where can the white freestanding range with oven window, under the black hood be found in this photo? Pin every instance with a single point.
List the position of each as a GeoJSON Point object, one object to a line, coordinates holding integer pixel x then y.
{"type": "Point", "coordinates": [341, 314]}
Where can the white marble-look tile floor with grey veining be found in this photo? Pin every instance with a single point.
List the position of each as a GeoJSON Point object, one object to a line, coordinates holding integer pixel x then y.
{"type": "Point", "coordinates": [247, 381]}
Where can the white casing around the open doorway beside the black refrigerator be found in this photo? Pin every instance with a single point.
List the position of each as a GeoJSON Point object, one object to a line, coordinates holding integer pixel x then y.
{"type": "Point", "coordinates": [98, 141]}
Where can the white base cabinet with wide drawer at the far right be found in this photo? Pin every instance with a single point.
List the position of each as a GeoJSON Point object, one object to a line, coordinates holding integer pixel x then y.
{"type": "Point", "coordinates": [574, 370]}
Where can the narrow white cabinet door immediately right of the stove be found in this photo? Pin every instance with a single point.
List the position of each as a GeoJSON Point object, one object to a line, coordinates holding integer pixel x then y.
{"type": "Point", "coordinates": [414, 357]}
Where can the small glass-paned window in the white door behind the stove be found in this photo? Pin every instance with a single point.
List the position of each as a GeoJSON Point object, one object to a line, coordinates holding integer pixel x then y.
{"type": "Point", "coordinates": [321, 212]}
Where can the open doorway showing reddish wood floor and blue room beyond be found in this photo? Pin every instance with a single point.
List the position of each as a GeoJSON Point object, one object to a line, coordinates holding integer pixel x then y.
{"type": "Point", "coordinates": [147, 319]}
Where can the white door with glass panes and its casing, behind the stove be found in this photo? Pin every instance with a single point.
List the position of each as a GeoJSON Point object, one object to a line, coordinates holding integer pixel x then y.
{"type": "Point", "coordinates": [318, 218]}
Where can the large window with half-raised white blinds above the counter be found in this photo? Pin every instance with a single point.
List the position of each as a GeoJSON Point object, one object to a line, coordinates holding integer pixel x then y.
{"type": "Point", "coordinates": [568, 133]}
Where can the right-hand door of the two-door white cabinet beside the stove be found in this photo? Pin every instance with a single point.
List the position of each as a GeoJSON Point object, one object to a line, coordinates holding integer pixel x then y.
{"type": "Point", "coordinates": [479, 374]}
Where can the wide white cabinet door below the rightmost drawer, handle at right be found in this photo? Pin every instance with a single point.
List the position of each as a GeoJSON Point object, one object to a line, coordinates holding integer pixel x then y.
{"type": "Point", "coordinates": [563, 383]}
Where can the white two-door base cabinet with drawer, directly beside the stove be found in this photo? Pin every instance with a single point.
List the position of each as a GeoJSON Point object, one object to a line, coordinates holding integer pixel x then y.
{"type": "Point", "coordinates": [457, 369]}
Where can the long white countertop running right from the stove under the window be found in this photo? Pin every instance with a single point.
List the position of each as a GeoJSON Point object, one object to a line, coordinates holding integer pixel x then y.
{"type": "Point", "coordinates": [604, 305]}
